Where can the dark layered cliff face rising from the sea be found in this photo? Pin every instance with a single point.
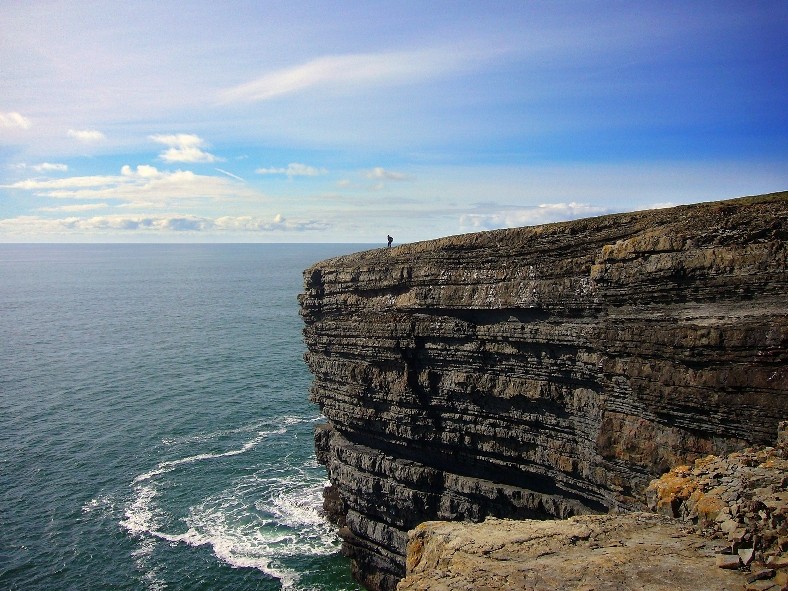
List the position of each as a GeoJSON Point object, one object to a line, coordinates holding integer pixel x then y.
{"type": "Point", "coordinates": [542, 372]}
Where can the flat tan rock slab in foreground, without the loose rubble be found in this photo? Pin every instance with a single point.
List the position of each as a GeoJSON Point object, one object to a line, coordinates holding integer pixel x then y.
{"type": "Point", "coordinates": [640, 551]}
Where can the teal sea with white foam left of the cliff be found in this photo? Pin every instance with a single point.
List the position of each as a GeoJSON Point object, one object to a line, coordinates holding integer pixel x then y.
{"type": "Point", "coordinates": [155, 431]}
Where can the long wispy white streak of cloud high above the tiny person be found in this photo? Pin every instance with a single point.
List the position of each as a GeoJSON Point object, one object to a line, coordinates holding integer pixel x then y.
{"type": "Point", "coordinates": [351, 71]}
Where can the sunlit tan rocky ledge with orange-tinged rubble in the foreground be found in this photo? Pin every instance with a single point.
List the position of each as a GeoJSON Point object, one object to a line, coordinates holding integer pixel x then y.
{"type": "Point", "coordinates": [720, 524]}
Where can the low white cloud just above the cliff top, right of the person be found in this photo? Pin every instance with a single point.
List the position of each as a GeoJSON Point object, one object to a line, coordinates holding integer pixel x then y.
{"type": "Point", "coordinates": [529, 216]}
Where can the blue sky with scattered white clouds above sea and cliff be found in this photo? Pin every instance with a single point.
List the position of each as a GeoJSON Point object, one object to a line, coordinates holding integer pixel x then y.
{"type": "Point", "coordinates": [267, 121]}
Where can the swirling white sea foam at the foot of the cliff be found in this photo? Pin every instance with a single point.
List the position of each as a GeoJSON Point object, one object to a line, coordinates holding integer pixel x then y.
{"type": "Point", "coordinates": [243, 529]}
